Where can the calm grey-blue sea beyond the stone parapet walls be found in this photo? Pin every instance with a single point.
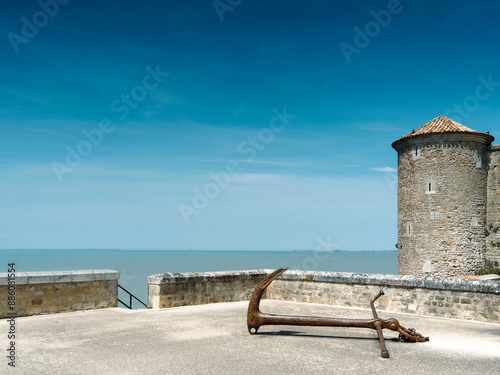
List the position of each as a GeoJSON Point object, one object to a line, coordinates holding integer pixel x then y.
{"type": "Point", "coordinates": [136, 265]}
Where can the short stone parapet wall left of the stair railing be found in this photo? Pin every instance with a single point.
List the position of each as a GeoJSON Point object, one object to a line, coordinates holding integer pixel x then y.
{"type": "Point", "coordinates": [59, 291]}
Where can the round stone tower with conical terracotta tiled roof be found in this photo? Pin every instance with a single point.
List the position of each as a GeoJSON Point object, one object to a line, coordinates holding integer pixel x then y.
{"type": "Point", "coordinates": [442, 199]}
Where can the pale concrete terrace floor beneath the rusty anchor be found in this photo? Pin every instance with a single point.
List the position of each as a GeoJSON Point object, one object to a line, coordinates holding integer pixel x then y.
{"type": "Point", "coordinates": [213, 339]}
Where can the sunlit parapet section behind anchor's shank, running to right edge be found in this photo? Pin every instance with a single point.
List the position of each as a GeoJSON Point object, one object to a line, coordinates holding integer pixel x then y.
{"type": "Point", "coordinates": [447, 297]}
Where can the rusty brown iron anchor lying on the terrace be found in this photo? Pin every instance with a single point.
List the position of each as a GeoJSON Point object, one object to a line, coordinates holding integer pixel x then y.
{"type": "Point", "coordinates": [256, 319]}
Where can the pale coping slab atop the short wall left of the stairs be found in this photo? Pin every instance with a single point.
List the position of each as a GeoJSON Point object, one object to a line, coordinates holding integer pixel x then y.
{"type": "Point", "coordinates": [50, 277]}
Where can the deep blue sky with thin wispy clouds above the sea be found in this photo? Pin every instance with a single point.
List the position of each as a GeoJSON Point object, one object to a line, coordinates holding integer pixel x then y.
{"type": "Point", "coordinates": [170, 92]}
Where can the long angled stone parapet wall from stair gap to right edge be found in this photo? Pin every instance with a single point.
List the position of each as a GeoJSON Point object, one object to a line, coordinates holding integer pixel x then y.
{"type": "Point", "coordinates": [425, 295]}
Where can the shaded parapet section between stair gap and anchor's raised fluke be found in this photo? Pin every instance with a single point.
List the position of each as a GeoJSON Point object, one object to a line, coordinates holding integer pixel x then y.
{"type": "Point", "coordinates": [195, 288]}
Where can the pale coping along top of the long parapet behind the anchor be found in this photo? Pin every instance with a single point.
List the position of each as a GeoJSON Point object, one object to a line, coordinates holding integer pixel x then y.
{"type": "Point", "coordinates": [406, 281]}
